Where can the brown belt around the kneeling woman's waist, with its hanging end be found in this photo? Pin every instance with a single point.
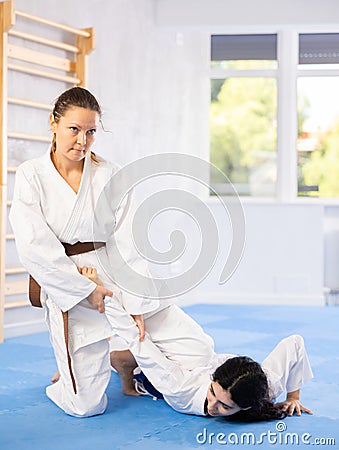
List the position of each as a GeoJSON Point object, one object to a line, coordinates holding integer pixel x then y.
{"type": "Point", "coordinates": [35, 290]}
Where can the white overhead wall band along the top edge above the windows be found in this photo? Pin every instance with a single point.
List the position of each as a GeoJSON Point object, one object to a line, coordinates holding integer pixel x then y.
{"type": "Point", "coordinates": [246, 13]}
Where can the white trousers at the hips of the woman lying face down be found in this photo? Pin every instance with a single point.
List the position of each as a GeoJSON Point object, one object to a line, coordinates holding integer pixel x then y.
{"type": "Point", "coordinates": [177, 336]}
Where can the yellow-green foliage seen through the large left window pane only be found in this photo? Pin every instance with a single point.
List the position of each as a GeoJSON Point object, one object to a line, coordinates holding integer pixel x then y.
{"type": "Point", "coordinates": [242, 124]}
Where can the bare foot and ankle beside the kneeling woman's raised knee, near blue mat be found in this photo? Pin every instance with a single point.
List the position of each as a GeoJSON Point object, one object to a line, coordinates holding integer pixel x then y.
{"type": "Point", "coordinates": [124, 363]}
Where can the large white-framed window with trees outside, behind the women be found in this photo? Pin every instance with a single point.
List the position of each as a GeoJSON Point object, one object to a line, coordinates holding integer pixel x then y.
{"type": "Point", "coordinates": [254, 139]}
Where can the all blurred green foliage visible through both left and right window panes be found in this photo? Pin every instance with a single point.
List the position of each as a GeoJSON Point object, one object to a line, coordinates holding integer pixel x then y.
{"type": "Point", "coordinates": [243, 132]}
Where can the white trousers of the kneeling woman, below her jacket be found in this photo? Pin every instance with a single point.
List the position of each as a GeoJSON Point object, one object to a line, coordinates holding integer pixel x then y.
{"type": "Point", "coordinates": [90, 366]}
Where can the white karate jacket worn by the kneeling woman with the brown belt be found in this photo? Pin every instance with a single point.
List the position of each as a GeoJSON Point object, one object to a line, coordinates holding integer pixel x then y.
{"type": "Point", "coordinates": [46, 211]}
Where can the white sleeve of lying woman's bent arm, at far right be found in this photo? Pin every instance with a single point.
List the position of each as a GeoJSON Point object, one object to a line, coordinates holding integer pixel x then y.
{"type": "Point", "coordinates": [287, 367]}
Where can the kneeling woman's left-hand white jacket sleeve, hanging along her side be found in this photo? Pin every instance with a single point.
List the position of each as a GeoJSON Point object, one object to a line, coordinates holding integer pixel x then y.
{"type": "Point", "coordinates": [39, 249]}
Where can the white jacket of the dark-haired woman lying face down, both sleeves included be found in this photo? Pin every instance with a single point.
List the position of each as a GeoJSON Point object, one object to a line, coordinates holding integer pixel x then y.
{"type": "Point", "coordinates": [287, 368]}
